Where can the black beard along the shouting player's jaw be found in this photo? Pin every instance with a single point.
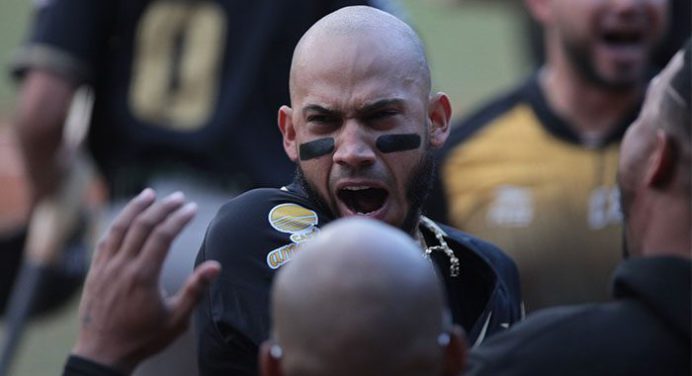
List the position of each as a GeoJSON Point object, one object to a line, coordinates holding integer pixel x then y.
{"type": "Point", "coordinates": [417, 191]}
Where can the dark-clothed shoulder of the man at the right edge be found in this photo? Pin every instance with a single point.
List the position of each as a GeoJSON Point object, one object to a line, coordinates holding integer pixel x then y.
{"type": "Point", "coordinates": [612, 338]}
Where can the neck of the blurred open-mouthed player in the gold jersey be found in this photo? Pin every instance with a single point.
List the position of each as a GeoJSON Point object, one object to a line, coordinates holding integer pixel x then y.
{"type": "Point", "coordinates": [592, 111]}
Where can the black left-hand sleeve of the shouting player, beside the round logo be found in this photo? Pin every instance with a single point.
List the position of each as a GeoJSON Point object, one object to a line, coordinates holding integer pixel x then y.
{"type": "Point", "coordinates": [233, 317]}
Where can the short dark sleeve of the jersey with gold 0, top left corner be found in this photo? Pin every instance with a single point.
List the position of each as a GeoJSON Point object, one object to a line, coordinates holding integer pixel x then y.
{"type": "Point", "coordinates": [67, 37]}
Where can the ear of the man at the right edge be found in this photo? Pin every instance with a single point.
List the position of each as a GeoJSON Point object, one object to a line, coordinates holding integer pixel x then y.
{"type": "Point", "coordinates": [661, 165]}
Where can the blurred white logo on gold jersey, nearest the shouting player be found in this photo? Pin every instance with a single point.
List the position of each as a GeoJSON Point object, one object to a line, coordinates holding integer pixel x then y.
{"type": "Point", "coordinates": [513, 207]}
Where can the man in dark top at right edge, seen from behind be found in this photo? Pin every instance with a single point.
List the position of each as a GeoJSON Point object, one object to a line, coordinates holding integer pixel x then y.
{"type": "Point", "coordinates": [645, 328]}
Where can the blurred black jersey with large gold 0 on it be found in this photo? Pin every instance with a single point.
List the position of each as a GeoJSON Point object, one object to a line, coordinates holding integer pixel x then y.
{"type": "Point", "coordinates": [182, 87]}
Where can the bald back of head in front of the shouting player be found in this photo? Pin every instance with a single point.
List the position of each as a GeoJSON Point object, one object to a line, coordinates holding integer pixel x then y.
{"type": "Point", "coordinates": [360, 299]}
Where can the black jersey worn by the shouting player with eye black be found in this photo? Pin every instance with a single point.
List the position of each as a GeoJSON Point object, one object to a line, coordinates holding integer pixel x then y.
{"type": "Point", "coordinates": [257, 232]}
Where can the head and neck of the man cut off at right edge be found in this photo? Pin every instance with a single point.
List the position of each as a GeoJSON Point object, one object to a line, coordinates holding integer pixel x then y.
{"type": "Point", "coordinates": [655, 171]}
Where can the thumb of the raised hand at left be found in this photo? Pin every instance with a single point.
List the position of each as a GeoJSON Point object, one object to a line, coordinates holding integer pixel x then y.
{"type": "Point", "coordinates": [182, 304]}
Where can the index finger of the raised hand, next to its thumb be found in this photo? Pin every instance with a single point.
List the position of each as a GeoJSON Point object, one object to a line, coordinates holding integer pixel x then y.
{"type": "Point", "coordinates": [159, 242]}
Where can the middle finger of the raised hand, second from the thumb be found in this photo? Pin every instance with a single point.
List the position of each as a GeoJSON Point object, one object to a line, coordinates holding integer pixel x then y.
{"type": "Point", "coordinates": [147, 221]}
